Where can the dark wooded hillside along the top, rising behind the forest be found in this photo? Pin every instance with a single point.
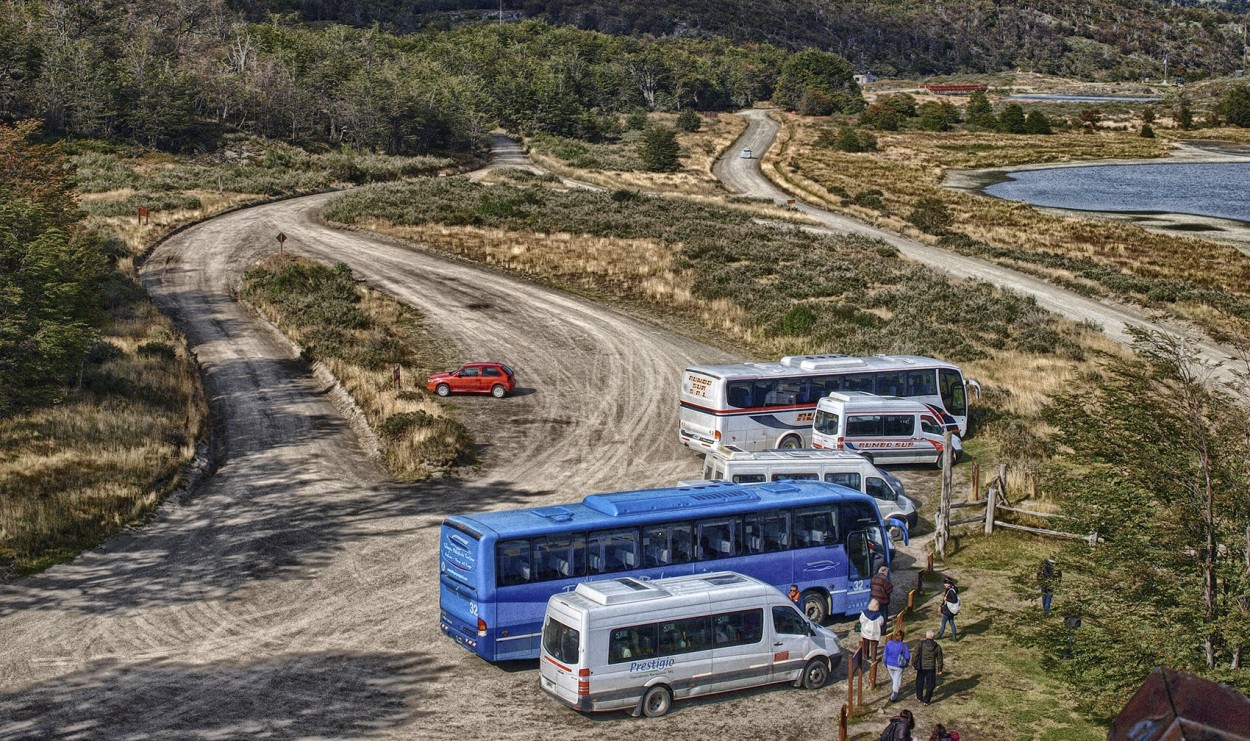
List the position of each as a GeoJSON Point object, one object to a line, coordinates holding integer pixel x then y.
{"type": "Point", "coordinates": [1102, 39]}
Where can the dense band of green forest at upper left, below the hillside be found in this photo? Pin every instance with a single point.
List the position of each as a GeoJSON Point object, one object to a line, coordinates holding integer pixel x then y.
{"type": "Point", "coordinates": [177, 74]}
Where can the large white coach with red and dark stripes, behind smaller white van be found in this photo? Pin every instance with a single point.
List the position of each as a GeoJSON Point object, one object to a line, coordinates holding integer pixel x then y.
{"type": "Point", "coordinates": [766, 405]}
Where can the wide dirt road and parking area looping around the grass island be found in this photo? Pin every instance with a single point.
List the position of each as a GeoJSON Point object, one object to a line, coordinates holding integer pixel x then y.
{"type": "Point", "coordinates": [296, 593]}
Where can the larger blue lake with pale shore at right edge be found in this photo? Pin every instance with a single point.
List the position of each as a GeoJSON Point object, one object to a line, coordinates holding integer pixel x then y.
{"type": "Point", "coordinates": [1221, 189]}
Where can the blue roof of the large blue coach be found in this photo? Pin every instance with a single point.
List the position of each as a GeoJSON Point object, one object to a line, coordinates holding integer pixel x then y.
{"type": "Point", "coordinates": [656, 505]}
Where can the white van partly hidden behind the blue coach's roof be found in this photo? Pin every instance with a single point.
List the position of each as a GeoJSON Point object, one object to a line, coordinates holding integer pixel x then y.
{"type": "Point", "coordinates": [728, 463]}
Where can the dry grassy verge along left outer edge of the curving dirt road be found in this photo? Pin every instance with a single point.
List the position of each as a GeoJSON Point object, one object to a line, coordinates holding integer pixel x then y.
{"type": "Point", "coordinates": [102, 460]}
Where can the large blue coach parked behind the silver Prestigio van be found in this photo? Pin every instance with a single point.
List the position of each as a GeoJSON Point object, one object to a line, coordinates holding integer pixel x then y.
{"type": "Point", "coordinates": [499, 569]}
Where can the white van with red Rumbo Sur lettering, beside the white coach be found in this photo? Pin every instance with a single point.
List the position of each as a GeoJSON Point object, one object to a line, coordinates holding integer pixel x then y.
{"type": "Point", "coordinates": [883, 429]}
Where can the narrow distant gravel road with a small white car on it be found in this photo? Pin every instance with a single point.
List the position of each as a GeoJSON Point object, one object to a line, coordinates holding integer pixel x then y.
{"type": "Point", "coordinates": [744, 177]}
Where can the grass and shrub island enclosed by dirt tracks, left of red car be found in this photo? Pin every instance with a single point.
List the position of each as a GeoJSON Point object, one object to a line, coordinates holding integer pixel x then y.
{"type": "Point", "coordinates": [359, 336]}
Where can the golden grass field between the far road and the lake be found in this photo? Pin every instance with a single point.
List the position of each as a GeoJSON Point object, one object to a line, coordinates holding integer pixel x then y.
{"type": "Point", "coordinates": [1199, 281]}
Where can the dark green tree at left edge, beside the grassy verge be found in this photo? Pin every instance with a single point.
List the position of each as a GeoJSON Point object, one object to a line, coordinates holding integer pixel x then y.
{"type": "Point", "coordinates": [51, 273]}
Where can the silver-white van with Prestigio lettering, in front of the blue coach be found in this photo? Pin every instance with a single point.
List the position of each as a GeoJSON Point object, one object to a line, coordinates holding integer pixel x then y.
{"type": "Point", "coordinates": [626, 644]}
